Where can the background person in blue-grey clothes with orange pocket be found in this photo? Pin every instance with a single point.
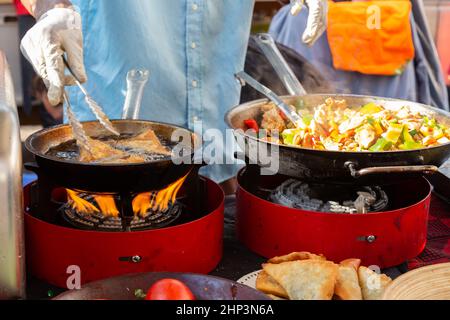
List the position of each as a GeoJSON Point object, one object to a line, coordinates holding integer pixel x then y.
{"type": "Point", "coordinates": [397, 59]}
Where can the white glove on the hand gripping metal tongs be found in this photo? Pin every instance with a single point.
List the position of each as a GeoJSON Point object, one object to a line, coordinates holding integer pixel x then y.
{"type": "Point", "coordinates": [57, 31]}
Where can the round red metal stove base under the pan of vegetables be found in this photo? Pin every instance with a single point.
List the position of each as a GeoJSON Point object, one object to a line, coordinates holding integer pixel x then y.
{"type": "Point", "coordinates": [272, 230]}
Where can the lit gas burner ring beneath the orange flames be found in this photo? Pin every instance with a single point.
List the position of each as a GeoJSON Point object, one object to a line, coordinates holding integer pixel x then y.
{"type": "Point", "coordinates": [98, 221]}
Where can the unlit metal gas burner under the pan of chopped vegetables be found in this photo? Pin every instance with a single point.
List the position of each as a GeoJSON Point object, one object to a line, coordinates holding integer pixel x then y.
{"type": "Point", "coordinates": [329, 198]}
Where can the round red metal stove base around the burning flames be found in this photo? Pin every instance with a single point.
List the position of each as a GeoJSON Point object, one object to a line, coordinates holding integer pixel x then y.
{"type": "Point", "coordinates": [191, 247]}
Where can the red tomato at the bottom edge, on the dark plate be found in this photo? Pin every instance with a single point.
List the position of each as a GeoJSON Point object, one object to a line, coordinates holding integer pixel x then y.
{"type": "Point", "coordinates": [169, 289]}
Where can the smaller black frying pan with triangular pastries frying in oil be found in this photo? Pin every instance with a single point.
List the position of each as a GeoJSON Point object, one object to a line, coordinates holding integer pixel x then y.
{"type": "Point", "coordinates": [147, 176]}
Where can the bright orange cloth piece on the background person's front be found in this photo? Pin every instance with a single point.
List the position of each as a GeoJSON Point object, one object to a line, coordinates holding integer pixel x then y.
{"type": "Point", "coordinates": [371, 37]}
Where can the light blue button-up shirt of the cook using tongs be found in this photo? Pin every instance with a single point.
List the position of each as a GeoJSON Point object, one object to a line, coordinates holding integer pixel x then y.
{"type": "Point", "coordinates": [192, 49]}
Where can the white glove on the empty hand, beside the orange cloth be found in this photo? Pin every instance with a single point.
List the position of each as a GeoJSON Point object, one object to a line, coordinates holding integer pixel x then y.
{"type": "Point", "coordinates": [317, 18]}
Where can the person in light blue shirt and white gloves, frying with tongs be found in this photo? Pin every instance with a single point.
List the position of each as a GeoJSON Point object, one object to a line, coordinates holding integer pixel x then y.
{"type": "Point", "coordinates": [192, 49]}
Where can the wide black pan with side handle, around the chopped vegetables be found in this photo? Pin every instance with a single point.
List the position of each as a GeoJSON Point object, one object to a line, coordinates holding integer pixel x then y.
{"type": "Point", "coordinates": [340, 166]}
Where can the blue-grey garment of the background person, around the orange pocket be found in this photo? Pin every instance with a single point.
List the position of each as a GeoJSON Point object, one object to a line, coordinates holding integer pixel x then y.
{"type": "Point", "coordinates": [420, 81]}
